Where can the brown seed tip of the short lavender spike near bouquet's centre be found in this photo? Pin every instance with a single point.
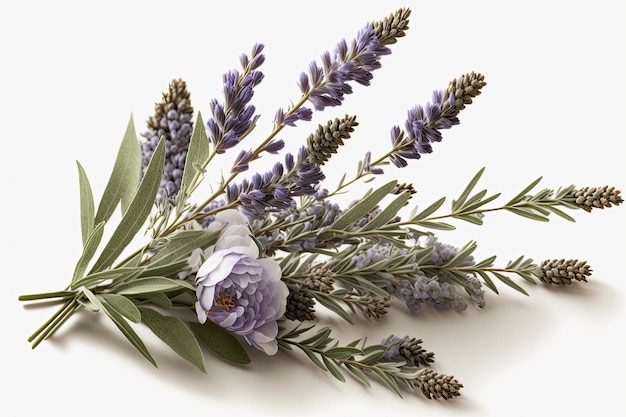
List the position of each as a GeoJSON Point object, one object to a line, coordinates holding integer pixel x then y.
{"type": "Point", "coordinates": [327, 139]}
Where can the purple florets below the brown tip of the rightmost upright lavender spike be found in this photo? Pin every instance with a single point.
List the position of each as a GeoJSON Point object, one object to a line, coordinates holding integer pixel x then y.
{"type": "Point", "coordinates": [422, 128]}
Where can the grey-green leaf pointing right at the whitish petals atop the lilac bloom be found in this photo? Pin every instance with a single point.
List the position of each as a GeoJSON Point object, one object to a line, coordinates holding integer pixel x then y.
{"type": "Point", "coordinates": [182, 243]}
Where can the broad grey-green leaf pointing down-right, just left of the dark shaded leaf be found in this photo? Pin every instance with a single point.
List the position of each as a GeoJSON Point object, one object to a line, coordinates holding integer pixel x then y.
{"type": "Point", "coordinates": [175, 333]}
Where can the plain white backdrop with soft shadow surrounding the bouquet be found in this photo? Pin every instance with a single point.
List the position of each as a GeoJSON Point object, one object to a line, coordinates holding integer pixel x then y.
{"type": "Point", "coordinates": [553, 107]}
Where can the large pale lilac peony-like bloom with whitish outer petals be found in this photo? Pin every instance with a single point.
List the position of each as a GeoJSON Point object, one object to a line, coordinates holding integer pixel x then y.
{"type": "Point", "coordinates": [238, 290]}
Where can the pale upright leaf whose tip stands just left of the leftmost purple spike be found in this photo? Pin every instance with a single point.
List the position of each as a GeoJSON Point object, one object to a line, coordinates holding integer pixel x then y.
{"type": "Point", "coordinates": [123, 181]}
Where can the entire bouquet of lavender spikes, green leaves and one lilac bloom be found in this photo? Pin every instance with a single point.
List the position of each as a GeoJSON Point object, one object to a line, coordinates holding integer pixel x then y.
{"type": "Point", "coordinates": [262, 260]}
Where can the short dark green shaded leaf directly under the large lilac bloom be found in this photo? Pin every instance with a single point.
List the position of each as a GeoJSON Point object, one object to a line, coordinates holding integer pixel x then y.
{"type": "Point", "coordinates": [220, 341]}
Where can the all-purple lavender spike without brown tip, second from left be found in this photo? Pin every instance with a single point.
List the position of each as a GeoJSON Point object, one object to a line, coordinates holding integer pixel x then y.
{"type": "Point", "coordinates": [235, 118]}
